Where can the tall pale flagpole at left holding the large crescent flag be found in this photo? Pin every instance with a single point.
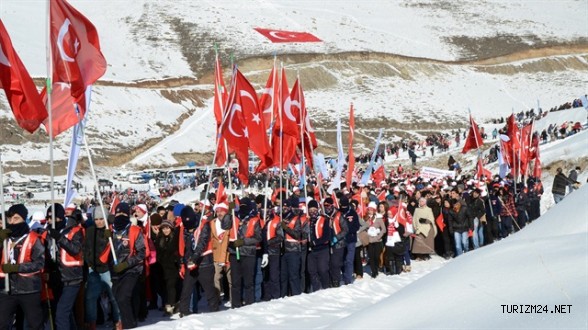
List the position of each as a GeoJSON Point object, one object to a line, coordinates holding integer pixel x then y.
{"type": "Point", "coordinates": [49, 86]}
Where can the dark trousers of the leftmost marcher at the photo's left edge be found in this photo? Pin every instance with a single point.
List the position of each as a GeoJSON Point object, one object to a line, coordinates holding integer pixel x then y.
{"type": "Point", "coordinates": [29, 303]}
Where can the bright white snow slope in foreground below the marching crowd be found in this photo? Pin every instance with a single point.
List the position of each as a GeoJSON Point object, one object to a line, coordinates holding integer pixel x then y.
{"type": "Point", "coordinates": [546, 264]}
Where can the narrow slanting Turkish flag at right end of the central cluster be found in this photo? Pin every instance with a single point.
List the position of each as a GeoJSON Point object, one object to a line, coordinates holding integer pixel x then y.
{"type": "Point", "coordinates": [309, 142]}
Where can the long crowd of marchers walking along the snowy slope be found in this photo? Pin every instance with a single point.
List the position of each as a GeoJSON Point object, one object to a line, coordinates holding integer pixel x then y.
{"type": "Point", "coordinates": [238, 250]}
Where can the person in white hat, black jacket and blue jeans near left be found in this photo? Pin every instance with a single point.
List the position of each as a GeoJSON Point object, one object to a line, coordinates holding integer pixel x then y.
{"type": "Point", "coordinates": [97, 253]}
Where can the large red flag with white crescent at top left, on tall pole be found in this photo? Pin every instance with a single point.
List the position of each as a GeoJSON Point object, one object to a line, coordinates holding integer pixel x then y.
{"type": "Point", "coordinates": [77, 59]}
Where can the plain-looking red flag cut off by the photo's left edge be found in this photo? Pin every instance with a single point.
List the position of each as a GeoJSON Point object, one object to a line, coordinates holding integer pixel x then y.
{"type": "Point", "coordinates": [21, 92]}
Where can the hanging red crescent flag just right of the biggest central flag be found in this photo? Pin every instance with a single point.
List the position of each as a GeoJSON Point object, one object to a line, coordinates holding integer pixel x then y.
{"type": "Point", "coordinates": [285, 128]}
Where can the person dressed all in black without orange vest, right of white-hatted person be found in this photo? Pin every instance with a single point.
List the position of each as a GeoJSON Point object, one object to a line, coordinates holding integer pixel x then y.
{"type": "Point", "coordinates": [168, 256]}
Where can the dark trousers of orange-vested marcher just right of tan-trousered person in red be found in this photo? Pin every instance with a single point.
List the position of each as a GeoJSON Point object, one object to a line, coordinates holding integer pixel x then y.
{"type": "Point", "coordinates": [243, 275]}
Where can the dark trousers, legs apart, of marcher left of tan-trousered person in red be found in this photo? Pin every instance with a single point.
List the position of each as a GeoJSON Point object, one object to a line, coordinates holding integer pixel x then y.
{"type": "Point", "coordinates": [204, 276]}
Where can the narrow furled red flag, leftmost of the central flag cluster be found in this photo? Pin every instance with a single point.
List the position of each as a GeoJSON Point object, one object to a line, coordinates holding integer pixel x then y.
{"type": "Point", "coordinates": [220, 103]}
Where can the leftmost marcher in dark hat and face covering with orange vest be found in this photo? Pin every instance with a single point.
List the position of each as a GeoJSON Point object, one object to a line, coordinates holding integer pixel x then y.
{"type": "Point", "coordinates": [23, 268]}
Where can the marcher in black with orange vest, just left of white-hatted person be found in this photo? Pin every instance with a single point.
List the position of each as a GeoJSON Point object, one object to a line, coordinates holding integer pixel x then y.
{"type": "Point", "coordinates": [68, 235]}
